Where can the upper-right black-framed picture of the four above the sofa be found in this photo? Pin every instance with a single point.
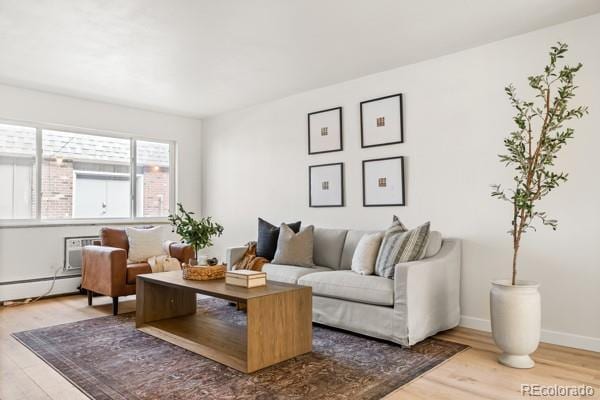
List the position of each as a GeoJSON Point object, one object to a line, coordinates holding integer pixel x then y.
{"type": "Point", "coordinates": [381, 121]}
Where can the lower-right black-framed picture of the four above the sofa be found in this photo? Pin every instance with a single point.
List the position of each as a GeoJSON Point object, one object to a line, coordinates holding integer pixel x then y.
{"type": "Point", "coordinates": [383, 182]}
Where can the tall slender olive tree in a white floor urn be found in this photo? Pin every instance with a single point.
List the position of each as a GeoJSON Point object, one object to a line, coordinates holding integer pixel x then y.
{"type": "Point", "coordinates": [531, 150]}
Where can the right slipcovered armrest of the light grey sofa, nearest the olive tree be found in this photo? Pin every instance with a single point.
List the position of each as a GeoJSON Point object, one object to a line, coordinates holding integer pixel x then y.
{"type": "Point", "coordinates": [427, 293]}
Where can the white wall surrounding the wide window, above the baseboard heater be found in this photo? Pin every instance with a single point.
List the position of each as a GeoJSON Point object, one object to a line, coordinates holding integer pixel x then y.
{"type": "Point", "coordinates": [30, 253]}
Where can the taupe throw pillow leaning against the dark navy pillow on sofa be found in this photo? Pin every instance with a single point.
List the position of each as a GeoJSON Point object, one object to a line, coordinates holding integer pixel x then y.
{"type": "Point", "coordinates": [295, 248]}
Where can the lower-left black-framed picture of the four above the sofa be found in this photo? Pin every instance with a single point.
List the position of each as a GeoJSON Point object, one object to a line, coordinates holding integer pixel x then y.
{"type": "Point", "coordinates": [326, 185]}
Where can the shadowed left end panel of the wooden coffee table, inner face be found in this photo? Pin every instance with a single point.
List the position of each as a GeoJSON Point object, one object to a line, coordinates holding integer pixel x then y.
{"type": "Point", "coordinates": [155, 302]}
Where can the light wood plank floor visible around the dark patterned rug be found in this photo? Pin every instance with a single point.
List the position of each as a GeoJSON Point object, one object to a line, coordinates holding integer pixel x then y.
{"type": "Point", "coordinates": [473, 374]}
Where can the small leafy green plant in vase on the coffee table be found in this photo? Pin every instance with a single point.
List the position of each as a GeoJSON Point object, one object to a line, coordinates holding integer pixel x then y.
{"type": "Point", "coordinates": [196, 232]}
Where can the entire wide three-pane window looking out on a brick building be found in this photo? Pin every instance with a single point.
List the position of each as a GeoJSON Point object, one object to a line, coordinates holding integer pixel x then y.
{"type": "Point", "coordinates": [82, 176]}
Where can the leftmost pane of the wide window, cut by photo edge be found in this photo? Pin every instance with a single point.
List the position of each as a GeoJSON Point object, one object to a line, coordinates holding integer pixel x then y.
{"type": "Point", "coordinates": [17, 172]}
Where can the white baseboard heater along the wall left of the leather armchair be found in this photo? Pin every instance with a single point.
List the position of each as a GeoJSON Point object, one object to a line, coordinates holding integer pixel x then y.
{"type": "Point", "coordinates": [23, 290]}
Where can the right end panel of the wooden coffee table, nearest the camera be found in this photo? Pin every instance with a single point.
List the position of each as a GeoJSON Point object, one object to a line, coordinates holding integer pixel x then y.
{"type": "Point", "coordinates": [279, 327]}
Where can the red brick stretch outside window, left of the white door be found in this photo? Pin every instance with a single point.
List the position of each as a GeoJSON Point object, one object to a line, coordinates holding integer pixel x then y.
{"type": "Point", "coordinates": [57, 189]}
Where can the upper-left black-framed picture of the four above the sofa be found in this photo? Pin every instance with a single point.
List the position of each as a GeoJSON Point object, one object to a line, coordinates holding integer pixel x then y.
{"type": "Point", "coordinates": [325, 131]}
